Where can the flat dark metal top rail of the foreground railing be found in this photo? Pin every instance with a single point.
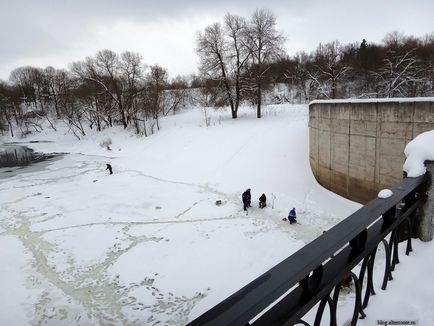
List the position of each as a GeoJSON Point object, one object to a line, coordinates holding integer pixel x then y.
{"type": "Point", "coordinates": [252, 299]}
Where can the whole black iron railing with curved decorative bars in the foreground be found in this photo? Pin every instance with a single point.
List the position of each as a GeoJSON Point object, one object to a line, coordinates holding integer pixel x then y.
{"type": "Point", "coordinates": [285, 293]}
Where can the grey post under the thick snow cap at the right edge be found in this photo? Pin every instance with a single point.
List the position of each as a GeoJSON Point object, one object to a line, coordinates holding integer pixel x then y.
{"type": "Point", "coordinates": [425, 225]}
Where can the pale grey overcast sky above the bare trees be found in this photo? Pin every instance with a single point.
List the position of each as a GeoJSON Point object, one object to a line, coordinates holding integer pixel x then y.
{"type": "Point", "coordinates": [58, 32]}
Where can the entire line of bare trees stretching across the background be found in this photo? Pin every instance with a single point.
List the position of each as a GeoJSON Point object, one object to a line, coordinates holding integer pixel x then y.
{"type": "Point", "coordinates": [241, 61]}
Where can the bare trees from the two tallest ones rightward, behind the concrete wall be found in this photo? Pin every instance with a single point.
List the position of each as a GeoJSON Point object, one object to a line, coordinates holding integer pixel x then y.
{"type": "Point", "coordinates": [241, 57]}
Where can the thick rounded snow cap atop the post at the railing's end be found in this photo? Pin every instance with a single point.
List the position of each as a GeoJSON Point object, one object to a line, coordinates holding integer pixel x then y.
{"type": "Point", "coordinates": [419, 150]}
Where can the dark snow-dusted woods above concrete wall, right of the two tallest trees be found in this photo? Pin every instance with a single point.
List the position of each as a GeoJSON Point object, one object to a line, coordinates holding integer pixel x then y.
{"type": "Point", "coordinates": [399, 67]}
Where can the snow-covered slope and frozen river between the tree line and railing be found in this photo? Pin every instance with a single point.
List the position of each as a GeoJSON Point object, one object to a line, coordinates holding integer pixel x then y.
{"type": "Point", "coordinates": [147, 245]}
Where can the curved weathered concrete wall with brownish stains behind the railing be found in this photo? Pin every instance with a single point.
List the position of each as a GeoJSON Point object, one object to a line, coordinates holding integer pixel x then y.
{"type": "Point", "coordinates": [357, 146]}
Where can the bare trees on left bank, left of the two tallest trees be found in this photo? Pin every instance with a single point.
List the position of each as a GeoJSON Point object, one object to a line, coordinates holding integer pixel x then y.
{"type": "Point", "coordinates": [98, 92]}
